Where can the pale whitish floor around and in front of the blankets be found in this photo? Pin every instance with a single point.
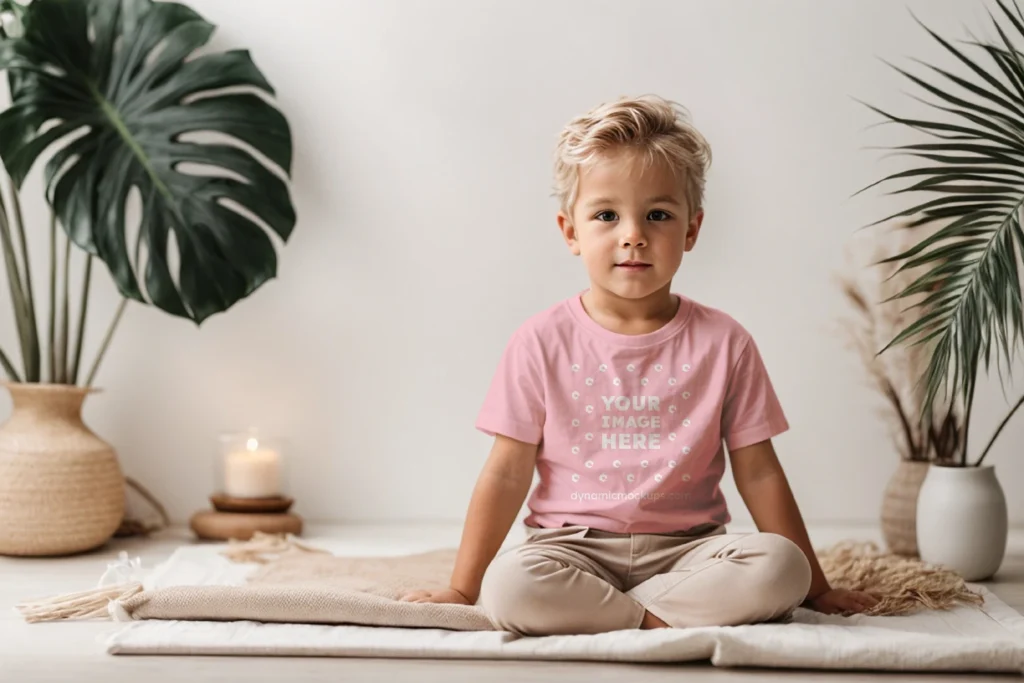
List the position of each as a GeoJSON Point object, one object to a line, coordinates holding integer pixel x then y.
{"type": "Point", "coordinates": [67, 652]}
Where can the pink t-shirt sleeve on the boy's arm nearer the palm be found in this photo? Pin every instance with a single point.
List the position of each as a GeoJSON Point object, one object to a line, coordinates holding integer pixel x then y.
{"type": "Point", "coordinates": [752, 412]}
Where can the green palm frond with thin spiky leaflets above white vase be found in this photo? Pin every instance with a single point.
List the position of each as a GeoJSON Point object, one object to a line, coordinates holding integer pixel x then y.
{"type": "Point", "coordinates": [972, 180]}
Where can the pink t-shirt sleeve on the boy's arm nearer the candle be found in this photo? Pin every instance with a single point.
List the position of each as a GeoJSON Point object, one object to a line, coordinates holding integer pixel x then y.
{"type": "Point", "coordinates": [515, 404]}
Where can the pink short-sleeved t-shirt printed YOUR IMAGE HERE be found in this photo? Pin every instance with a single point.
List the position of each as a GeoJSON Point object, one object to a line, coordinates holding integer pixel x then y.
{"type": "Point", "coordinates": [631, 428]}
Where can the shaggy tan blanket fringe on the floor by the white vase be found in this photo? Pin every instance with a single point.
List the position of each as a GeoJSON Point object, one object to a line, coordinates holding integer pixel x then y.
{"type": "Point", "coordinates": [904, 585]}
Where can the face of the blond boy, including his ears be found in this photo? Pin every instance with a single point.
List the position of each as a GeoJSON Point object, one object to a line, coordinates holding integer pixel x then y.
{"type": "Point", "coordinates": [623, 217]}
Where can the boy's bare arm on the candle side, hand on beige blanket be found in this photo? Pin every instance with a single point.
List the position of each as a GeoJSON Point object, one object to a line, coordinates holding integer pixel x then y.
{"type": "Point", "coordinates": [497, 499]}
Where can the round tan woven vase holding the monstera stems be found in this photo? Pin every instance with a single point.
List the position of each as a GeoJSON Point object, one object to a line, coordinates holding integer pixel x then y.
{"type": "Point", "coordinates": [62, 490]}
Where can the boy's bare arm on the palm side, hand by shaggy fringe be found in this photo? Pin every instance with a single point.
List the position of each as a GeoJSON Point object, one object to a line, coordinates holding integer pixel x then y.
{"type": "Point", "coordinates": [762, 484]}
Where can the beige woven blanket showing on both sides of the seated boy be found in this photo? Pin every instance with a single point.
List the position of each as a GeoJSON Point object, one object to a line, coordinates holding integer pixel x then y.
{"type": "Point", "coordinates": [298, 584]}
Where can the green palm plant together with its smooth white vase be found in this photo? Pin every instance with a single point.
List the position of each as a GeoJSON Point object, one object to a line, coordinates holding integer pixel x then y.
{"type": "Point", "coordinates": [970, 167]}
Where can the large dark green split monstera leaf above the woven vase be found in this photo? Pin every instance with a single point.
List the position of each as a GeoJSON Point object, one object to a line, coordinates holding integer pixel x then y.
{"type": "Point", "coordinates": [115, 90]}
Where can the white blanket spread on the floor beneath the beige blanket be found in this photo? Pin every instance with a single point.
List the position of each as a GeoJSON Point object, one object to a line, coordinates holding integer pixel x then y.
{"type": "Point", "coordinates": [962, 639]}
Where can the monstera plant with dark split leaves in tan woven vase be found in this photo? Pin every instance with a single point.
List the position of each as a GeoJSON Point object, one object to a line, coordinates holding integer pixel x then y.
{"type": "Point", "coordinates": [164, 162]}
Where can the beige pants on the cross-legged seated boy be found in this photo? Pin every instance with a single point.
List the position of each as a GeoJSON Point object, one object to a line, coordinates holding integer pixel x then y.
{"type": "Point", "coordinates": [576, 580]}
